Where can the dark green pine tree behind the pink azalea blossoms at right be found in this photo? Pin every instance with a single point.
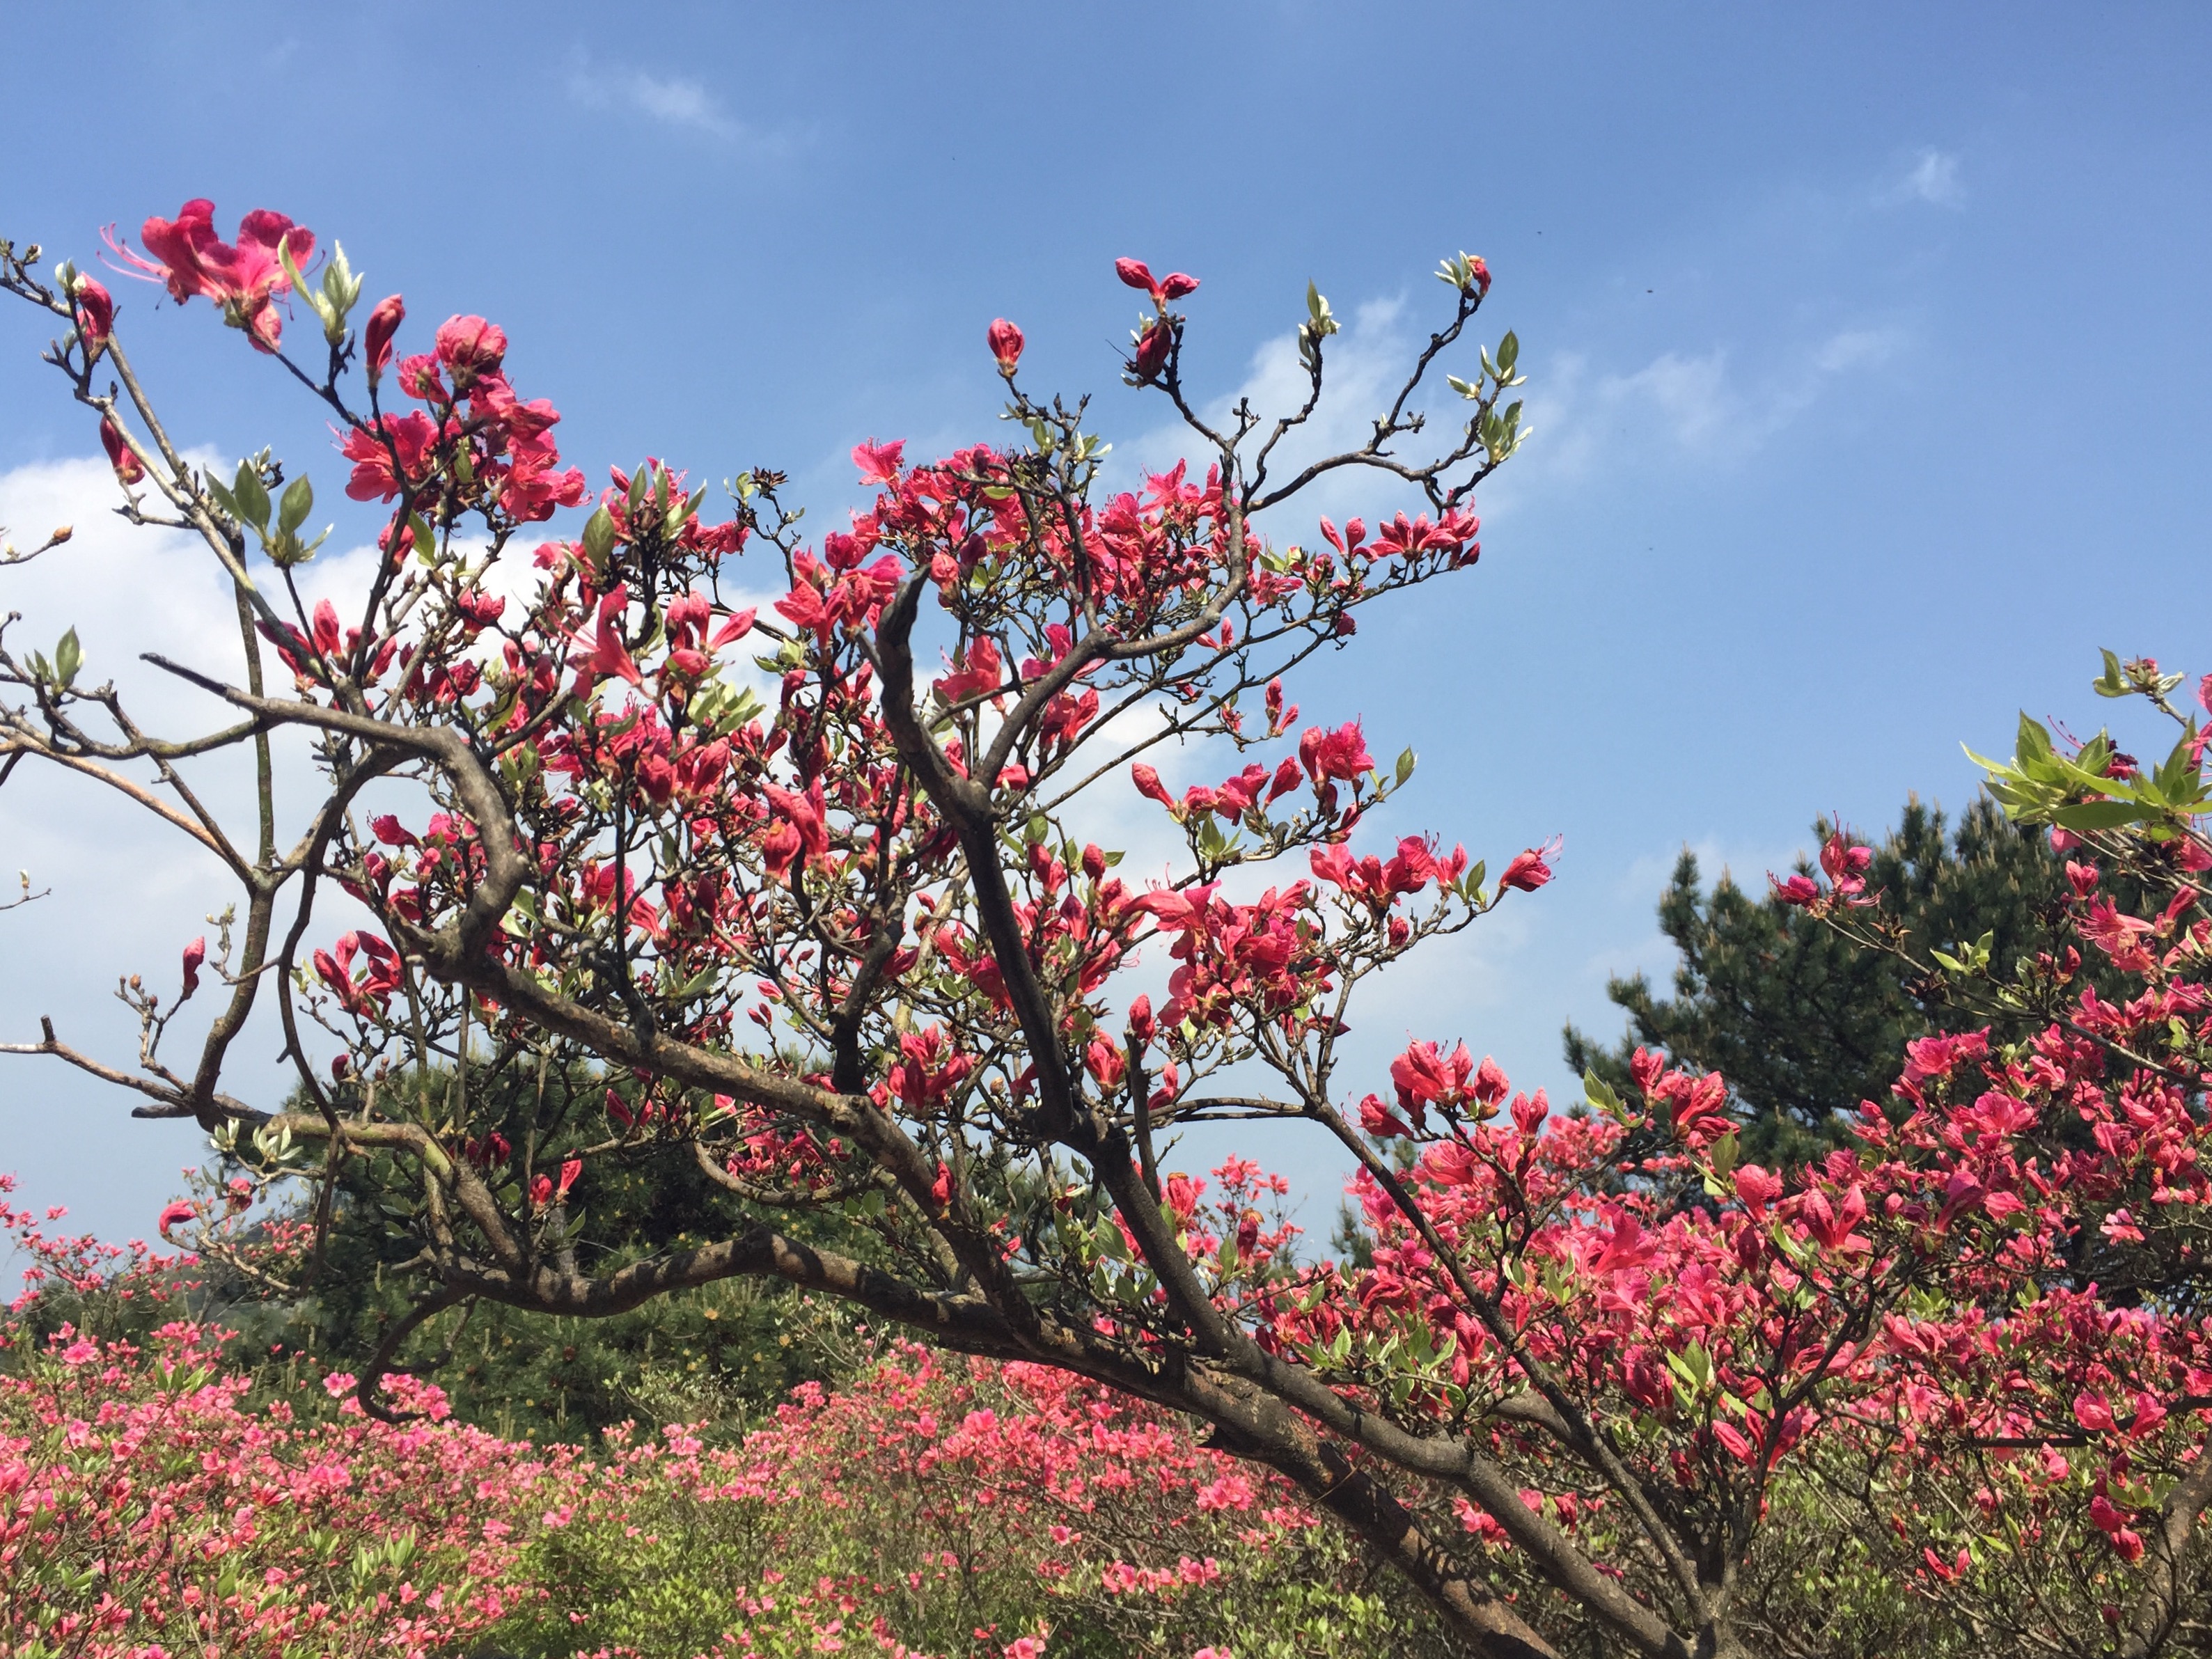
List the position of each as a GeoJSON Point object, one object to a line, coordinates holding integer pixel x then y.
{"type": "Point", "coordinates": [1804, 1023]}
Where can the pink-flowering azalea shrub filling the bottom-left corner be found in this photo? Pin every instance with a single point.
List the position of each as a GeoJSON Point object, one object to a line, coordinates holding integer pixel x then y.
{"type": "Point", "coordinates": [147, 1512]}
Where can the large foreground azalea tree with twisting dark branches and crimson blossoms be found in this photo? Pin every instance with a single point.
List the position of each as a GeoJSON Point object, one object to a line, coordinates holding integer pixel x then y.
{"type": "Point", "coordinates": [811, 895]}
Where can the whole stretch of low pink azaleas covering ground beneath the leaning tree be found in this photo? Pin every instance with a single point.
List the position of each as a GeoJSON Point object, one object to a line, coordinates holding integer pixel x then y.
{"type": "Point", "coordinates": [167, 1496]}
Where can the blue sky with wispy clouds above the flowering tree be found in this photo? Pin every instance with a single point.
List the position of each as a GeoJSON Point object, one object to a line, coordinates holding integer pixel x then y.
{"type": "Point", "coordinates": [1866, 348]}
